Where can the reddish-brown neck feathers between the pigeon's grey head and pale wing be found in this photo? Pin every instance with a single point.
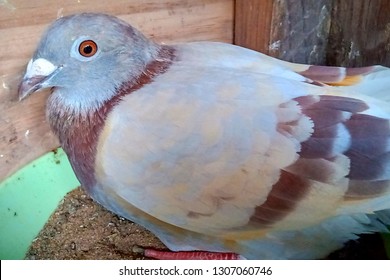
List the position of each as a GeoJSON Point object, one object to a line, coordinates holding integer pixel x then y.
{"type": "Point", "coordinates": [79, 134]}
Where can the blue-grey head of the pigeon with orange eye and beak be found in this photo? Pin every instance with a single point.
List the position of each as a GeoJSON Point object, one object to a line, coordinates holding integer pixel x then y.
{"type": "Point", "coordinates": [85, 58]}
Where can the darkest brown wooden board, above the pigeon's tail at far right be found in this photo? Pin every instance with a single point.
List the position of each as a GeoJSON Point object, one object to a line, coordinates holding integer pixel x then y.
{"type": "Point", "coordinates": [360, 33]}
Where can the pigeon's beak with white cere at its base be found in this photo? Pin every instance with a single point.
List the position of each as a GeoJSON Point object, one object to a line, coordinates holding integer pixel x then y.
{"type": "Point", "coordinates": [37, 76]}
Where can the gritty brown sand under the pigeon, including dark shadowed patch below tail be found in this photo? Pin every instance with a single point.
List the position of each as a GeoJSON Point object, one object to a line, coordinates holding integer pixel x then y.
{"type": "Point", "coordinates": [82, 229]}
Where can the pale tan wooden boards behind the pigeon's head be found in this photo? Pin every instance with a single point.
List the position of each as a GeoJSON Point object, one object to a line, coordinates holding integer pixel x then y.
{"type": "Point", "coordinates": [24, 133]}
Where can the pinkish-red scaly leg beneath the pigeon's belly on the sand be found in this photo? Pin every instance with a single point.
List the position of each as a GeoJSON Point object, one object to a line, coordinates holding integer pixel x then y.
{"type": "Point", "coordinates": [187, 255]}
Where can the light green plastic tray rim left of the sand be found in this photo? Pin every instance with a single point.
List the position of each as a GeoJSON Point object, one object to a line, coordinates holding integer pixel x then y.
{"type": "Point", "coordinates": [28, 198]}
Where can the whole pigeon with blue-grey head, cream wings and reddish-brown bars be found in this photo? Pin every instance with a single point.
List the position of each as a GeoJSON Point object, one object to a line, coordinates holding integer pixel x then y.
{"type": "Point", "coordinates": [220, 151]}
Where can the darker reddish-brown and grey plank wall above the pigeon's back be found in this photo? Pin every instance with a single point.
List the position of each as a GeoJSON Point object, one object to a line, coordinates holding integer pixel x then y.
{"type": "Point", "coordinates": [327, 32]}
